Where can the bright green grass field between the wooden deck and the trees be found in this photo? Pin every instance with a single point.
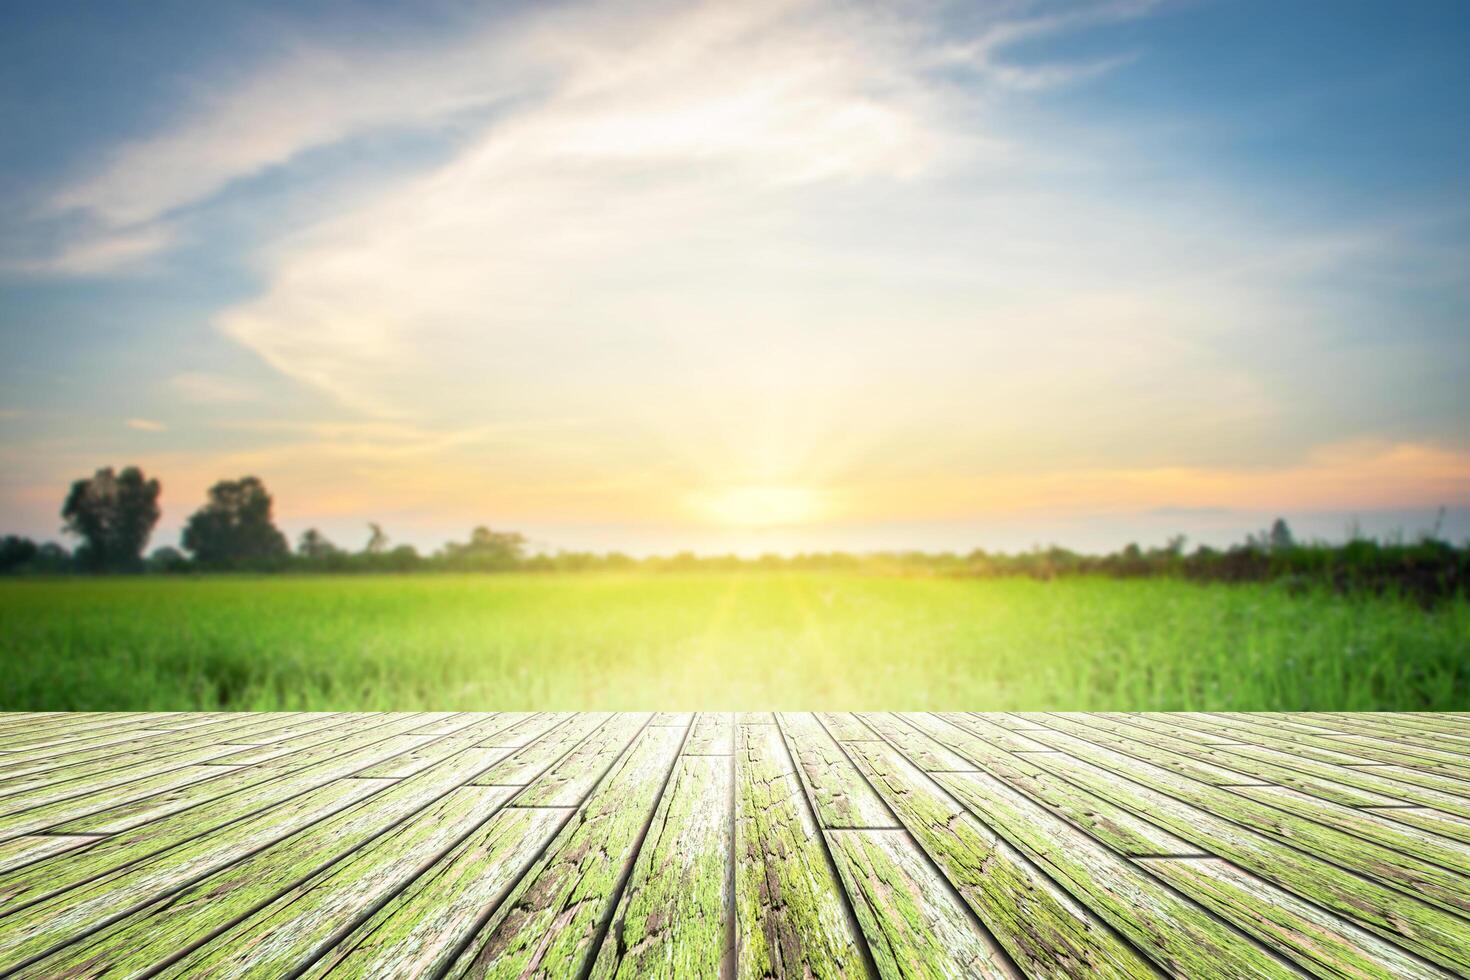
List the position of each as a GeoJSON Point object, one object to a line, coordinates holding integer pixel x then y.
{"type": "Point", "coordinates": [720, 643]}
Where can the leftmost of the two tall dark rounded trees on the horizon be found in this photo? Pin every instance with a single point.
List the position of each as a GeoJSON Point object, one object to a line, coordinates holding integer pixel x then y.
{"type": "Point", "coordinates": [114, 515]}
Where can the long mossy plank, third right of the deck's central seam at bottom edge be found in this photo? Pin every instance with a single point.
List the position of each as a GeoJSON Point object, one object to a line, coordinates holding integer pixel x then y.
{"type": "Point", "coordinates": [1044, 931]}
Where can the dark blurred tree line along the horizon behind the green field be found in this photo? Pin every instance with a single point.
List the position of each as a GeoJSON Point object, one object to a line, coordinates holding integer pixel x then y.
{"type": "Point", "coordinates": [114, 515]}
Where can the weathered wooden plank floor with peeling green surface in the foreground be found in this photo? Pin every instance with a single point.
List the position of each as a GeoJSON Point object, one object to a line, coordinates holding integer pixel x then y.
{"type": "Point", "coordinates": [755, 846]}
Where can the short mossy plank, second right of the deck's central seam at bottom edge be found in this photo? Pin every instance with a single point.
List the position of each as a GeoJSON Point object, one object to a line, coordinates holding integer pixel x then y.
{"type": "Point", "coordinates": [914, 925]}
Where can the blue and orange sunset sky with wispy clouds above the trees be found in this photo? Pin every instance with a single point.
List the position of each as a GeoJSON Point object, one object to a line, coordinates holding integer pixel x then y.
{"type": "Point", "coordinates": [764, 275]}
